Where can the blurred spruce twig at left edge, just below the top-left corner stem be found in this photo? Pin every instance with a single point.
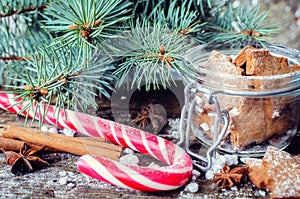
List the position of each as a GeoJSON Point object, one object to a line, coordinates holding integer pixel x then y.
{"type": "Point", "coordinates": [20, 35]}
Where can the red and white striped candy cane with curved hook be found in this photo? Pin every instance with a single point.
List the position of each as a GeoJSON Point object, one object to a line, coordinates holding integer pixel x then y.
{"type": "Point", "coordinates": [174, 175]}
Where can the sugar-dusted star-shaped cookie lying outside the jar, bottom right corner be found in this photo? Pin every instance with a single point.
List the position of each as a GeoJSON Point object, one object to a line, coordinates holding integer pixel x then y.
{"type": "Point", "coordinates": [282, 172]}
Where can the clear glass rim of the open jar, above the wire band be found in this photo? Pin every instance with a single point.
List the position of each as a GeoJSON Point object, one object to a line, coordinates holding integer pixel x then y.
{"type": "Point", "coordinates": [282, 84]}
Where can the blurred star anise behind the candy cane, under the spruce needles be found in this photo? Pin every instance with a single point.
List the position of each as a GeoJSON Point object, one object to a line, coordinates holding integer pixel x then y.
{"type": "Point", "coordinates": [149, 115]}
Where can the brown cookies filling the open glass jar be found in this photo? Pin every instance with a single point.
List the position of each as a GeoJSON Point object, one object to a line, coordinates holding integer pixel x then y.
{"type": "Point", "coordinates": [256, 120]}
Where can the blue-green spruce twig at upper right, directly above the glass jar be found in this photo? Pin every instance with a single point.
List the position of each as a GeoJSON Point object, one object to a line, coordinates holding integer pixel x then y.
{"type": "Point", "coordinates": [241, 26]}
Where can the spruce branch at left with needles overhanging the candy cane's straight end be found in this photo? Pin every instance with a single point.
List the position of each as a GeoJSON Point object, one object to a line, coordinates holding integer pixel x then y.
{"type": "Point", "coordinates": [58, 77]}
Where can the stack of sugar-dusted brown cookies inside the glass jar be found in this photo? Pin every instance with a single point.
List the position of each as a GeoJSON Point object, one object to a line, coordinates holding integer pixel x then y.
{"type": "Point", "coordinates": [253, 120]}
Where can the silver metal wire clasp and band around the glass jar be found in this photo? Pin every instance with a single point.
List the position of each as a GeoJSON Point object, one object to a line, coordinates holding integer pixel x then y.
{"type": "Point", "coordinates": [221, 116]}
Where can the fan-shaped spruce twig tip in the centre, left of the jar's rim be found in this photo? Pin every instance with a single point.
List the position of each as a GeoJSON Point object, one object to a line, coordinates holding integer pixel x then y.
{"type": "Point", "coordinates": [151, 54]}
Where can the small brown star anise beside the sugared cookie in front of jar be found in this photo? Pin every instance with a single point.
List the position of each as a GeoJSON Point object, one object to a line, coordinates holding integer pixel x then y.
{"type": "Point", "coordinates": [230, 177]}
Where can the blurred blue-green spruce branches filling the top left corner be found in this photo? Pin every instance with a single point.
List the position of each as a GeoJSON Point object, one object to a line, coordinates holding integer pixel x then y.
{"type": "Point", "coordinates": [20, 33]}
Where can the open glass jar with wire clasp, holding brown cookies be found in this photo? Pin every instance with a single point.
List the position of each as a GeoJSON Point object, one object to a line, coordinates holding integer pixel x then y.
{"type": "Point", "coordinates": [240, 115]}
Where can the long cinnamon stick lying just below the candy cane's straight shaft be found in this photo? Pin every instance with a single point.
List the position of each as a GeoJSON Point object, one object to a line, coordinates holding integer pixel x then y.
{"type": "Point", "coordinates": [74, 145]}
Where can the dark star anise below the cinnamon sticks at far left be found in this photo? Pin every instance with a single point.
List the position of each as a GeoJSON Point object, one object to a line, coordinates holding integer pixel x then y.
{"type": "Point", "coordinates": [27, 160]}
